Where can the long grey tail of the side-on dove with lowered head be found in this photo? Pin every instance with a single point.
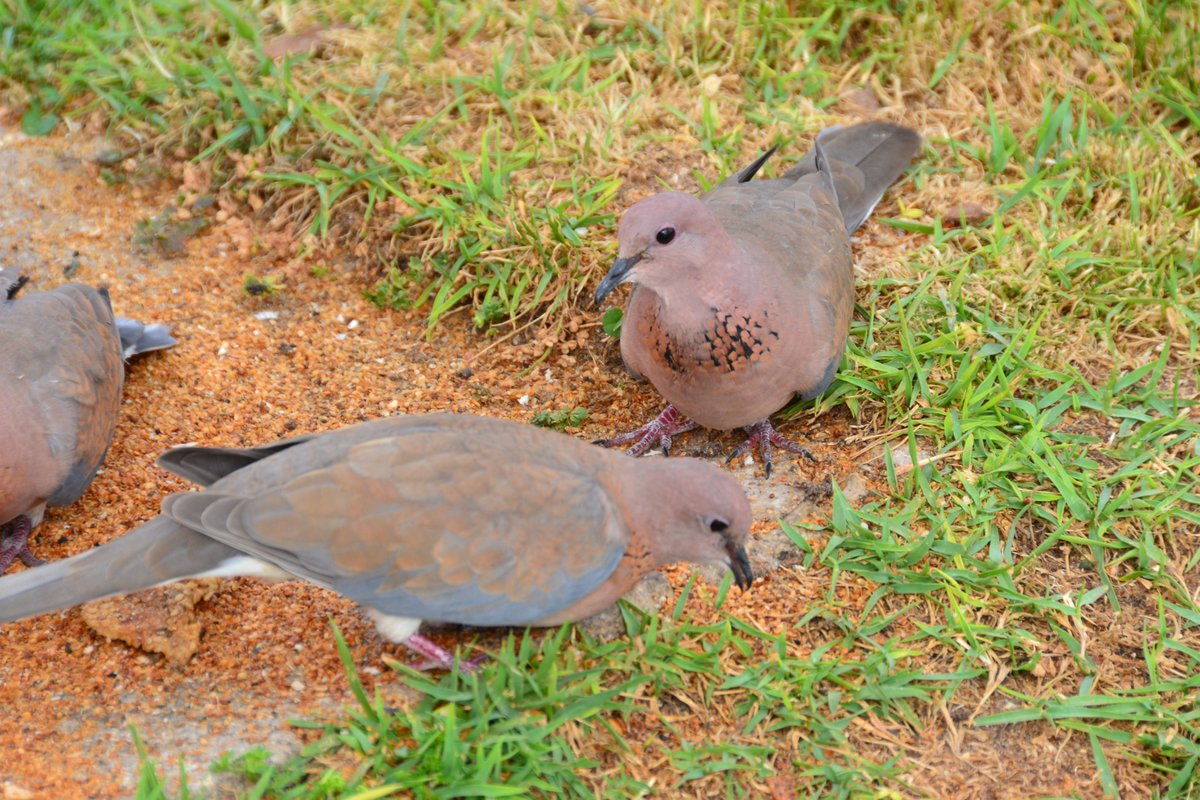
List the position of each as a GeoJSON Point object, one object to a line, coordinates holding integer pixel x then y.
{"type": "Point", "coordinates": [159, 552]}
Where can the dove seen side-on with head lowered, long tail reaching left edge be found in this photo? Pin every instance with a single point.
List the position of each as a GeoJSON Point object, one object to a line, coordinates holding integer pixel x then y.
{"type": "Point", "coordinates": [445, 518]}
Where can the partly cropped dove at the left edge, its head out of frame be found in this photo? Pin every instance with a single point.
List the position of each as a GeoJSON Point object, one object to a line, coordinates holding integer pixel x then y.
{"type": "Point", "coordinates": [62, 372]}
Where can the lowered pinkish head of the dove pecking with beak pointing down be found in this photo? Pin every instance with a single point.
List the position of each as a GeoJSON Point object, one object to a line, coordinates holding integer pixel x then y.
{"type": "Point", "coordinates": [689, 510]}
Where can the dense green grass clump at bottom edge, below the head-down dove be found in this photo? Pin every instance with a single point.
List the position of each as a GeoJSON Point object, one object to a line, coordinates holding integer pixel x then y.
{"type": "Point", "coordinates": [500, 735]}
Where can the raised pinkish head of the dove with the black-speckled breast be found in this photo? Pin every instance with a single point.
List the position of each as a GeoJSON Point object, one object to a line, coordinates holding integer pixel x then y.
{"type": "Point", "coordinates": [664, 240]}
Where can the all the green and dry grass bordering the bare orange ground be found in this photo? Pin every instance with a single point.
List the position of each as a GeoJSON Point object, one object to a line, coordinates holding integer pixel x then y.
{"type": "Point", "coordinates": [1040, 569]}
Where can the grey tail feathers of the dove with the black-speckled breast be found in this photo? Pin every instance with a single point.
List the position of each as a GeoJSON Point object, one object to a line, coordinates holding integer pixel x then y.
{"type": "Point", "coordinates": [865, 160]}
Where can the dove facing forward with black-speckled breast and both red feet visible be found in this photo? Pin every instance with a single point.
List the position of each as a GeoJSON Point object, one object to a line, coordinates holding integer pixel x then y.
{"type": "Point", "coordinates": [745, 297]}
